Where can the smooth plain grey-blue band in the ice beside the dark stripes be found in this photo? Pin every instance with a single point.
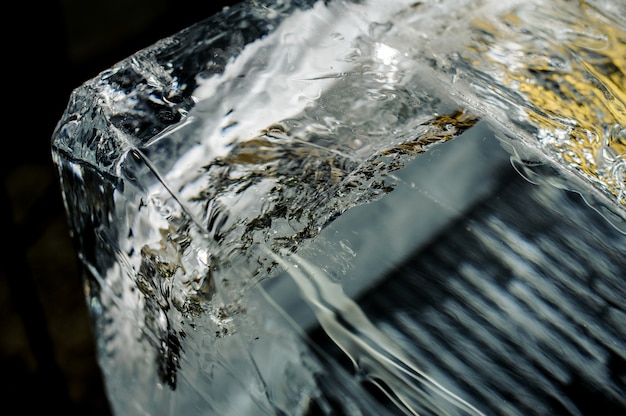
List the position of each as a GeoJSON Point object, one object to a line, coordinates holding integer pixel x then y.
{"type": "Point", "coordinates": [437, 188]}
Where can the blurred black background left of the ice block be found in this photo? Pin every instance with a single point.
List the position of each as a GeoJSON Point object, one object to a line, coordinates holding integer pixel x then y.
{"type": "Point", "coordinates": [47, 350]}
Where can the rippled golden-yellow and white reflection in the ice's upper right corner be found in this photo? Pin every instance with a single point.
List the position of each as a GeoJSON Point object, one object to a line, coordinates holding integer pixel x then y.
{"type": "Point", "coordinates": [569, 65]}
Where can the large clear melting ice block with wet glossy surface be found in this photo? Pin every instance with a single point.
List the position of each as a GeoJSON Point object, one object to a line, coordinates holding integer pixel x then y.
{"type": "Point", "coordinates": [301, 207]}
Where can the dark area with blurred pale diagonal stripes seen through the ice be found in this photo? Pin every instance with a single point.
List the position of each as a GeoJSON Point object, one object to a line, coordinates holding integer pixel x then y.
{"type": "Point", "coordinates": [519, 307]}
